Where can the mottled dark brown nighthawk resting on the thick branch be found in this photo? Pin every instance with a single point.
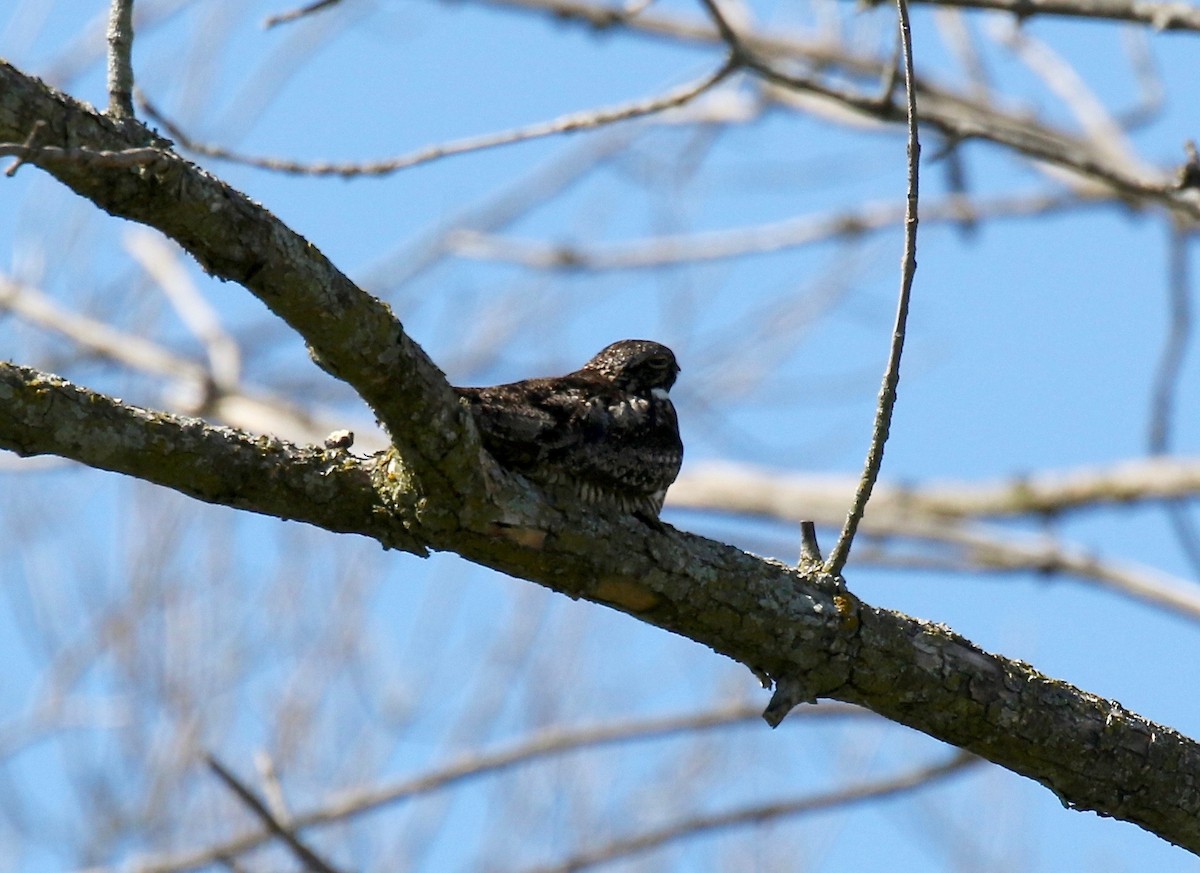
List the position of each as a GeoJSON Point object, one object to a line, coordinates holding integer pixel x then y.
{"type": "Point", "coordinates": [607, 434]}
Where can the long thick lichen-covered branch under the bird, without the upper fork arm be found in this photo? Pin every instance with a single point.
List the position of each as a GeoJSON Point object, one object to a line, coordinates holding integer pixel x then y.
{"type": "Point", "coordinates": [800, 628]}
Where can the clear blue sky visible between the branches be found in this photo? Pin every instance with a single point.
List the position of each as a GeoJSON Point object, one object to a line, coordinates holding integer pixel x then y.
{"type": "Point", "coordinates": [1033, 346]}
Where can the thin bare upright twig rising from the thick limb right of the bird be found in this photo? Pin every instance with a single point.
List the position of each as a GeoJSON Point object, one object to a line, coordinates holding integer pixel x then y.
{"type": "Point", "coordinates": [909, 270]}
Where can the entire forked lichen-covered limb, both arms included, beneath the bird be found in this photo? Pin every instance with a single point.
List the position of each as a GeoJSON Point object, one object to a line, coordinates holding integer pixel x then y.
{"type": "Point", "coordinates": [437, 491]}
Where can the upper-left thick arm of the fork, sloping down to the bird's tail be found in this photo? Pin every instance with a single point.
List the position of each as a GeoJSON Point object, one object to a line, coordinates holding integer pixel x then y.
{"type": "Point", "coordinates": [350, 333]}
